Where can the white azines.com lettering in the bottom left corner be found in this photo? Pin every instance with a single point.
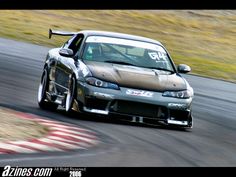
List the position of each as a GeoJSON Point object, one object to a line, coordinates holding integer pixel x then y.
{"type": "Point", "coordinates": [17, 171]}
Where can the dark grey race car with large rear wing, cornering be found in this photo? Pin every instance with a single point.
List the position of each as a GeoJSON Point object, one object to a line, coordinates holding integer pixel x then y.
{"type": "Point", "coordinates": [115, 74]}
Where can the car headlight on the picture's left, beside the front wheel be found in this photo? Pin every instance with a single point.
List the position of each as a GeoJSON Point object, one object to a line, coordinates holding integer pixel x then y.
{"type": "Point", "coordinates": [99, 83]}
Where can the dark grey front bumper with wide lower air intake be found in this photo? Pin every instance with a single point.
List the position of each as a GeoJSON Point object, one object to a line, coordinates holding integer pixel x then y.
{"type": "Point", "coordinates": [148, 107]}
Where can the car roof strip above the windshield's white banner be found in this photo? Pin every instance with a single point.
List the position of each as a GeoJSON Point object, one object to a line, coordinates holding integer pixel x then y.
{"type": "Point", "coordinates": [118, 35]}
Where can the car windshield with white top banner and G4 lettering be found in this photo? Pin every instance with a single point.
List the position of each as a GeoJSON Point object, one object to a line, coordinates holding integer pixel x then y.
{"type": "Point", "coordinates": [126, 52]}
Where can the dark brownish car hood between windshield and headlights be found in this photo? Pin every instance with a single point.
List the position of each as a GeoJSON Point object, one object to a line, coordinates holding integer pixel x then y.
{"type": "Point", "coordinates": [136, 77]}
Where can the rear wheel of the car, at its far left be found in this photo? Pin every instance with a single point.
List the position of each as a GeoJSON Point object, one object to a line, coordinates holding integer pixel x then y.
{"type": "Point", "coordinates": [43, 86]}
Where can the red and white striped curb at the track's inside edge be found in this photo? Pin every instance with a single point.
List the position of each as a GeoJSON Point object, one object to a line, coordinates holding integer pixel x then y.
{"type": "Point", "coordinates": [61, 137]}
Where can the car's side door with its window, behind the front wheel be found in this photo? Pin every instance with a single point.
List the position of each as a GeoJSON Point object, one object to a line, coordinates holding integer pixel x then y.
{"type": "Point", "coordinates": [66, 65]}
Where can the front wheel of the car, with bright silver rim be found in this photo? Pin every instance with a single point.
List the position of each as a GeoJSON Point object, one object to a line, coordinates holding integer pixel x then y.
{"type": "Point", "coordinates": [70, 95]}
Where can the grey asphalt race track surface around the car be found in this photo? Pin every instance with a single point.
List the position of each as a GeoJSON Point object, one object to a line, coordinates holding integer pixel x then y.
{"type": "Point", "coordinates": [212, 141]}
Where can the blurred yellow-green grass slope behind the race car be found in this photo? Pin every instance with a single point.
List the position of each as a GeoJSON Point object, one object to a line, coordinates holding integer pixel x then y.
{"type": "Point", "coordinates": [203, 39]}
